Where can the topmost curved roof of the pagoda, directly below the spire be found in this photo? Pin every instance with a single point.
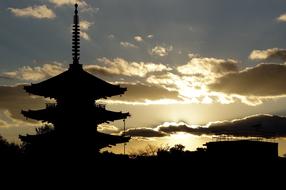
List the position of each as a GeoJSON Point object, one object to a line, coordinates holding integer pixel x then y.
{"type": "Point", "coordinates": [75, 82]}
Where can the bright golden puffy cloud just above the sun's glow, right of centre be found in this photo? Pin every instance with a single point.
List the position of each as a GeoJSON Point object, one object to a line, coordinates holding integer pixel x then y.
{"type": "Point", "coordinates": [208, 66]}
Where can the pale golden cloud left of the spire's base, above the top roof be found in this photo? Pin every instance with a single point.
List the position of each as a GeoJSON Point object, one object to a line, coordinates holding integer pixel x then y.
{"type": "Point", "coordinates": [37, 73]}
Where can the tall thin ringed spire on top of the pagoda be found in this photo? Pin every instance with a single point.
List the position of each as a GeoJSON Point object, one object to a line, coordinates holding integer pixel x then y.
{"type": "Point", "coordinates": [76, 36]}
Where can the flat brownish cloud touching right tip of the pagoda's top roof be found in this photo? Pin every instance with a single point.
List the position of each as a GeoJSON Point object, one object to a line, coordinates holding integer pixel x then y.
{"type": "Point", "coordinates": [141, 92]}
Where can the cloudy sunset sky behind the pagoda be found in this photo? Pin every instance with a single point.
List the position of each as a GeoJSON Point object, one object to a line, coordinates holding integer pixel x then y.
{"type": "Point", "coordinates": [194, 69]}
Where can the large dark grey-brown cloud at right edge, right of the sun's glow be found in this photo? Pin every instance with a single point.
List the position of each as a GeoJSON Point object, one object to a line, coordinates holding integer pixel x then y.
{"type": "Point", "coordinates": [262, 80]}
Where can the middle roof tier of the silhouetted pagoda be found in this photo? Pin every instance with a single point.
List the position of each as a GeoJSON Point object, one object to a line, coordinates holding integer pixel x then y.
{"type": "Point", "coordinates": [57, 115]}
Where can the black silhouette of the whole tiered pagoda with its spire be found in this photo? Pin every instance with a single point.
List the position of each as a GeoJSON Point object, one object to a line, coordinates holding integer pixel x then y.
{"type": "Point", "coordinates": [75, 115]}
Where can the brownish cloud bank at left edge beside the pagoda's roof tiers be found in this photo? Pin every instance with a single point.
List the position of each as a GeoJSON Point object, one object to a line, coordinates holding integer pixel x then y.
{"type": "Point", "coordinates": [13, 99]}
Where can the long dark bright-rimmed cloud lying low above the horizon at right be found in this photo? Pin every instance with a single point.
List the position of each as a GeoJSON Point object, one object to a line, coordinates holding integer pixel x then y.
{"type": "Point", "coordinates": [264, 126]}
